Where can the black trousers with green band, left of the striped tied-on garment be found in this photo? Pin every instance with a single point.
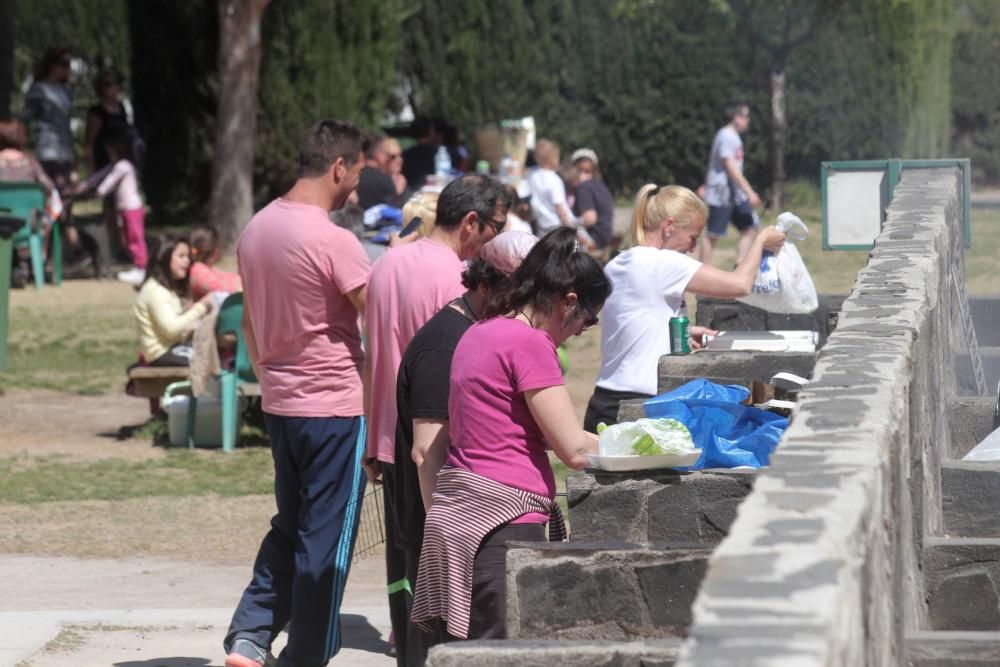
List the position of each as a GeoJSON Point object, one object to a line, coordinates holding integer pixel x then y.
{"type": "Point", "coordinates": [401, 561]}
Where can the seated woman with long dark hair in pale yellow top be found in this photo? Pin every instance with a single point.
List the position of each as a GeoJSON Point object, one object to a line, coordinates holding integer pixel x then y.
{"type": "Point", "coordinates": [164, 315]}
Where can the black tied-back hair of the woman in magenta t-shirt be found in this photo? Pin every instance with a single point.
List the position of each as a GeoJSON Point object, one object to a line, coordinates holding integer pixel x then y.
{"type": "Point", "coordinates": [554, 267]}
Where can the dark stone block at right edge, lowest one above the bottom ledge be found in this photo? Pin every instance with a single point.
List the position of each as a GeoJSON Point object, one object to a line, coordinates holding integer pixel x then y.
{"type": "Point", "coordinates": [961, 576]}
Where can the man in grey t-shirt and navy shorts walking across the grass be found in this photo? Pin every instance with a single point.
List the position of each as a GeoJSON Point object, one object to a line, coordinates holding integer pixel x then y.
{"type": "Point", "coordinates": [727, 192]}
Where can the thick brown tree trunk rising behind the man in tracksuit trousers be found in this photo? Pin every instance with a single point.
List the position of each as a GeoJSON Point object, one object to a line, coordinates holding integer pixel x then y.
{"type": "Point", "coordinates": [231, 205]}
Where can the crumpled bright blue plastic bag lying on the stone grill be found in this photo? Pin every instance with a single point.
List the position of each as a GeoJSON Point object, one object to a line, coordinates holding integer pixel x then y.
{"type": "Point", "coordinates": [728, 433]}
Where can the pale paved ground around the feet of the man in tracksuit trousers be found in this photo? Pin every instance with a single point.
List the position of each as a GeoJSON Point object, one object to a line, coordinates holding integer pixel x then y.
{"type": "Point", "coordinates": [142, 612]}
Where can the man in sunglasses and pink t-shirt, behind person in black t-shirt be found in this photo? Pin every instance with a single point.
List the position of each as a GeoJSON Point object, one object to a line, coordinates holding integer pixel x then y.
{"type": "Point", "coordinates": [408, 285]}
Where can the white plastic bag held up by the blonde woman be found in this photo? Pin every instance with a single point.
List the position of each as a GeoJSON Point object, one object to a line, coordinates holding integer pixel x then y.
{"type": "Point", "coordinates": [783, 285]}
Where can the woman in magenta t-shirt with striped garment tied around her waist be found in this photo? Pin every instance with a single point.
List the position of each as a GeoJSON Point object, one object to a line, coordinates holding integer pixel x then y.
{"type": "Point", "coordinates": [507, 406]}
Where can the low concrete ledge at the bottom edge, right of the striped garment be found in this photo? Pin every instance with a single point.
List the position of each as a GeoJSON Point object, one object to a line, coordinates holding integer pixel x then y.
{"type": "Point", "coordinates": [537, 653]}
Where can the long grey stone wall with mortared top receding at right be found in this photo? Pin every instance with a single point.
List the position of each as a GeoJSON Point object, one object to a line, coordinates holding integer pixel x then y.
{"type": "Point", "coordinates": [821, 566]}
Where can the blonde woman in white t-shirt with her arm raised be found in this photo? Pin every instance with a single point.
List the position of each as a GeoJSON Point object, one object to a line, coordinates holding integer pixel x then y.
{"type": "Point", "coordinates": [650, 281]}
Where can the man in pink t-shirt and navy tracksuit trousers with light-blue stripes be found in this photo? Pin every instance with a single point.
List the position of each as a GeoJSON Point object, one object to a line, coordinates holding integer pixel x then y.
{"type": "Point", "coordinates": [304, 282]}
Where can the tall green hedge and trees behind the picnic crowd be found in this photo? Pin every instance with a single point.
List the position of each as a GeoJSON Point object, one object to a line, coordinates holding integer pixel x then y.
{"type": "Point", "coordinates": [640, 81]}
